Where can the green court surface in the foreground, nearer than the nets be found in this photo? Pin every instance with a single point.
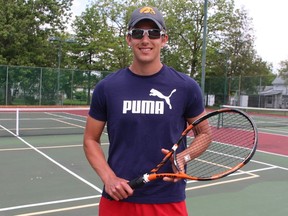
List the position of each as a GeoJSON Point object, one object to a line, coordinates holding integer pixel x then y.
{"type": "Point", "coordinates": [49, 175]}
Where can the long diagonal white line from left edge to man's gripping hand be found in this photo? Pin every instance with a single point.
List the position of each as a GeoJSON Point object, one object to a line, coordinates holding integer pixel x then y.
{"type": "Point", "coordinates": [54, 161]}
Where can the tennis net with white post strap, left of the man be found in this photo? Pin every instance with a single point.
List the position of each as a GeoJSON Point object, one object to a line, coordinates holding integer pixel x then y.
{"type": "Point", "coordinates": [42, 121]}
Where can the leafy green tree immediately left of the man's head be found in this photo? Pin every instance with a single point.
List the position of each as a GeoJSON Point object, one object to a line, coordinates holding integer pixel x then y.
{"type": "Point", "coordinates": [101, 32]}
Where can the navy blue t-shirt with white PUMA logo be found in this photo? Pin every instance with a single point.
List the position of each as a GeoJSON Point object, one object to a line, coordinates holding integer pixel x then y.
{"type": "Point", "coordinates": [143, 115]}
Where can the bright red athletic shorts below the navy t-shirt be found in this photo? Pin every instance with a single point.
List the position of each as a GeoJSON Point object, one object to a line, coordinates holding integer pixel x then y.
{"type": "Point", "coordinates": [115, 208]}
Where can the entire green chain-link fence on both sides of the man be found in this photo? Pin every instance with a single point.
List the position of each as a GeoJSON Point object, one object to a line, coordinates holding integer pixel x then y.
{"type": "Point", "coordinates": [54, 86]}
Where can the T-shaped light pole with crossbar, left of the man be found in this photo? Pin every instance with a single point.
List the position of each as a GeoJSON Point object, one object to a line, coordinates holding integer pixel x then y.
{"type": "Point", "coordinates": [59, 54]}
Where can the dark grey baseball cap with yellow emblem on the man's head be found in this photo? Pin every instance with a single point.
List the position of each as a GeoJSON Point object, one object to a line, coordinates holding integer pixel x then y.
{"type": "Point", "coordinates": [151, 13]}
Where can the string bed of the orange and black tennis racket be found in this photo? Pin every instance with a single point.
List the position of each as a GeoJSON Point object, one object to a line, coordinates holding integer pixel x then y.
{"type": "Point", "coordinates": [233, 138]}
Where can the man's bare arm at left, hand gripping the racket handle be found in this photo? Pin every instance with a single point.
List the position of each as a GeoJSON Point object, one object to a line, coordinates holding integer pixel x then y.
{"type": "Point", "coordinates": [116, 187]}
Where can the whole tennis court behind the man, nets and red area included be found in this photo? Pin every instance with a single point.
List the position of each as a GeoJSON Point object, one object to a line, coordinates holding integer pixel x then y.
{"type": "Point", "coordinates": [44, 170]}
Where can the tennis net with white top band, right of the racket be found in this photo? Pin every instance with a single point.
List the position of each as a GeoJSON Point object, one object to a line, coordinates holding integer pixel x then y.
{"type": "Point", "coordinates": [265, 117]}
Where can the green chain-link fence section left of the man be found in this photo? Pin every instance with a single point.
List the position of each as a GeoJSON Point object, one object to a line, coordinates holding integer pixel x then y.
{"type": "Point", "coordinates": [46, 86]}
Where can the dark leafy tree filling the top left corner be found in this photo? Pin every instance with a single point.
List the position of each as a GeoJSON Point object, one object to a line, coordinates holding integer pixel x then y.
{"type": "Point", "coordinates": [24, 28]}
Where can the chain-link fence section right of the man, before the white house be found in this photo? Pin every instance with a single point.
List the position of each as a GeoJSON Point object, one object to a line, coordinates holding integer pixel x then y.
{"type": "Point", "coordinates": [248, 91]}
